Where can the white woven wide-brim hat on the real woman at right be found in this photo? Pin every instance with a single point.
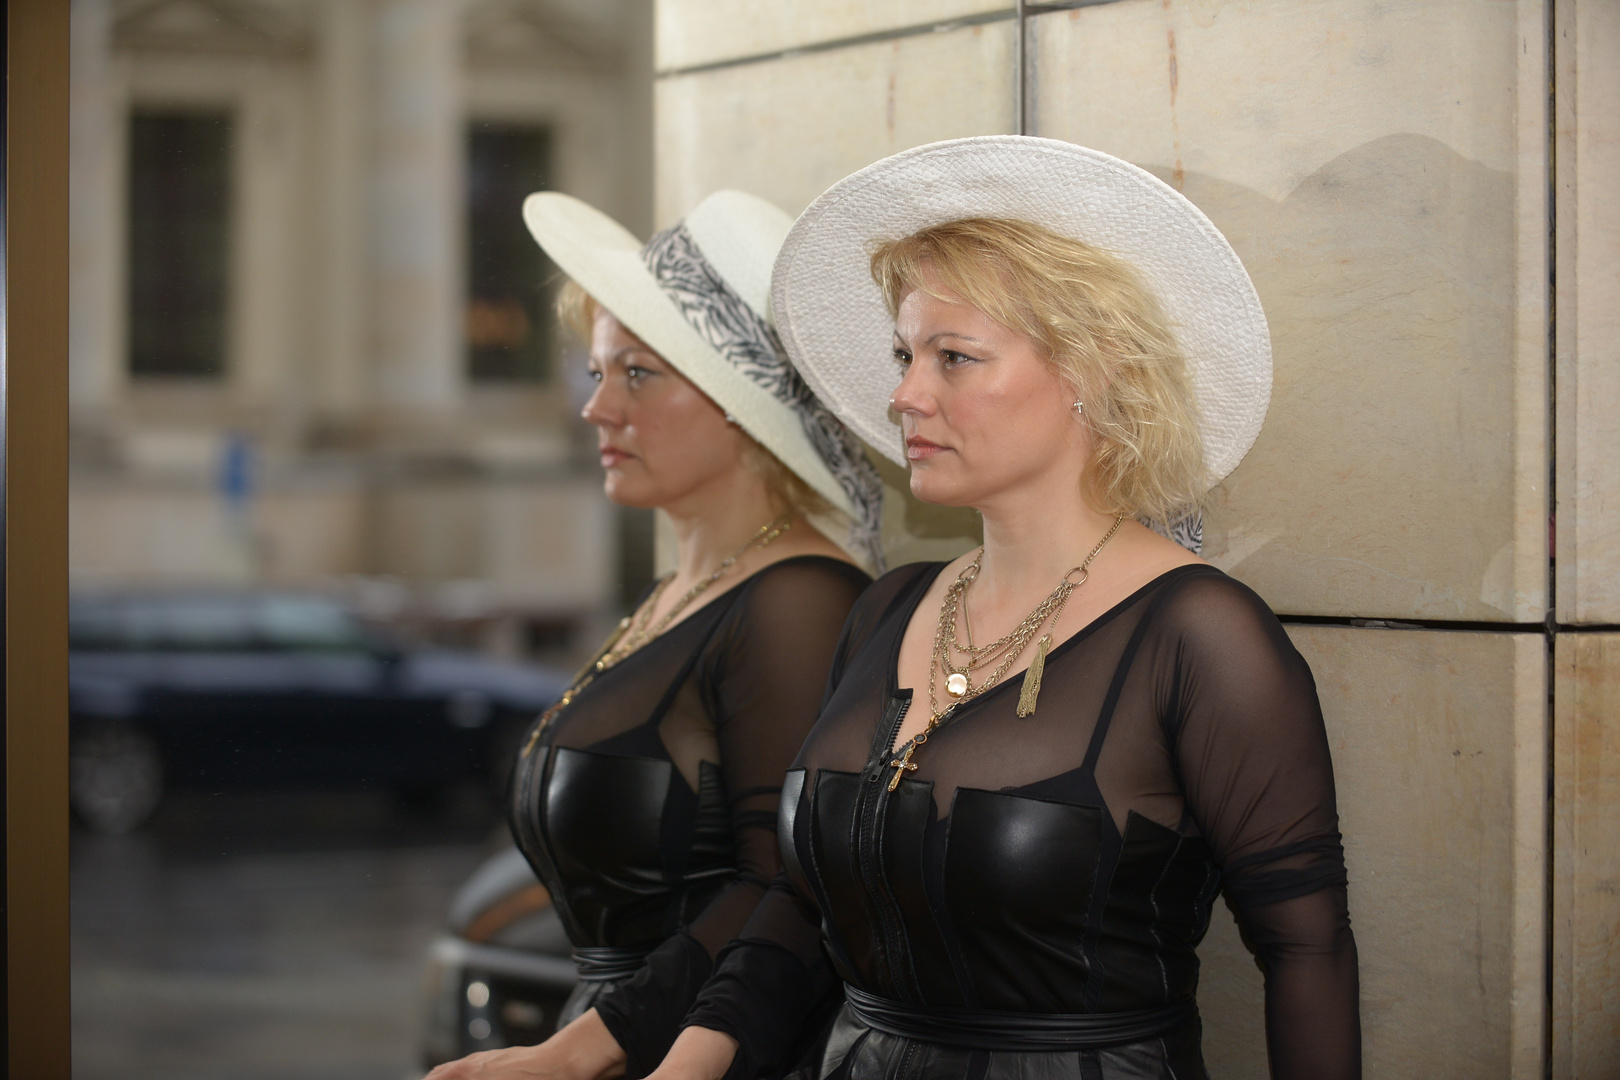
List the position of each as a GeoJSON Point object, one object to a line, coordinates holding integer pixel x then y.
{"type": "Point", "coordinates": [838, 331]}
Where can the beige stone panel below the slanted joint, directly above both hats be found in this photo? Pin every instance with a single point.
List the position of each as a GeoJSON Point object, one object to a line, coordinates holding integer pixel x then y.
{"type": "Point", "coordinates": [788, 129]}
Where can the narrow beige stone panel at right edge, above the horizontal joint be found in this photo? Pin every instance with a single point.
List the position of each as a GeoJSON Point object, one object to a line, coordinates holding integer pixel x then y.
{"type": "Point", "coordinates": [1588, 333]}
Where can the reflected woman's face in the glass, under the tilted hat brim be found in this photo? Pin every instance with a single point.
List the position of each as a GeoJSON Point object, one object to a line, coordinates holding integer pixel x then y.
{"type": "Point", "coordinates": [660, 438]}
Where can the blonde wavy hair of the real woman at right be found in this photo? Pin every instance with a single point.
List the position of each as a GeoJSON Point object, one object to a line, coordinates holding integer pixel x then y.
{"type": "Point", "coordinates": [1098, 325]}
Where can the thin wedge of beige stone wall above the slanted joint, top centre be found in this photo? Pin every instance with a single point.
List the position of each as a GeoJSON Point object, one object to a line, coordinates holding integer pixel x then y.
{"type": "Point", "coordinates": [709, 32]}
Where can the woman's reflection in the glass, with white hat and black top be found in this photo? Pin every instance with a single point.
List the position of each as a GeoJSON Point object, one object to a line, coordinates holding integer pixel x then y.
{"type": "Point", "coordinates": [647, 797]}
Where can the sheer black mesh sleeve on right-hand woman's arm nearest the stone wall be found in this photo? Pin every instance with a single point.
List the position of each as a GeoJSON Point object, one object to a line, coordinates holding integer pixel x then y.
{"type": "Point", "coordinates": [1255, 763]}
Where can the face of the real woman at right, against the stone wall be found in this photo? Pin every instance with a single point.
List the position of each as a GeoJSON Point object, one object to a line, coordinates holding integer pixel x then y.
{"type": "Point", "coordinates": [983, 414]}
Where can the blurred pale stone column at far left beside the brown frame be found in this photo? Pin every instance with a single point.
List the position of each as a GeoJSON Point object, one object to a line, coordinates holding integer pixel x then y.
{"type": "Point", "coordinates": [95, 236]}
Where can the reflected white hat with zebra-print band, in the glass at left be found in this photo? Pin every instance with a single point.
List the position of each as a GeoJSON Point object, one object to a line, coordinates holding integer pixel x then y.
{"type": "Point", "coordinates": [699, 294]}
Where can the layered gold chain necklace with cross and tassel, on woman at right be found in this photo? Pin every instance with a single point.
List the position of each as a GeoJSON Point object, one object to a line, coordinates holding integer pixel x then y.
{"type": "Point", "coordinates": [1002, 653]}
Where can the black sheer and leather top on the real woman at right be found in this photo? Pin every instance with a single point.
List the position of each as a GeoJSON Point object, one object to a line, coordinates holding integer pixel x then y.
{"type": "Point", "coordinates": [1065, 862]}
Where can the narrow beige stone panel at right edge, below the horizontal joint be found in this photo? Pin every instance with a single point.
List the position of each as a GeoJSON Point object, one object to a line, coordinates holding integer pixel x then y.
{"type": "Point", "coordinates": [1587, 859]}
